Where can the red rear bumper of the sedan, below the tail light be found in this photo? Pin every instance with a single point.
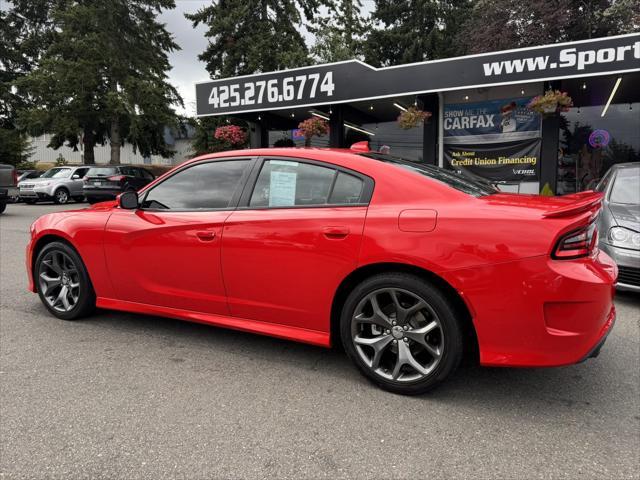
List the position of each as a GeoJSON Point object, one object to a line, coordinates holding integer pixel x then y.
{"type": "Point", "coordinates": [540, 312]}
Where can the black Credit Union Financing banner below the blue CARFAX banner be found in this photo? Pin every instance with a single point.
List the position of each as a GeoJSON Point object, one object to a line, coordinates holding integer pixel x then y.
{"type": "Point", "coordinates": [506, 161]}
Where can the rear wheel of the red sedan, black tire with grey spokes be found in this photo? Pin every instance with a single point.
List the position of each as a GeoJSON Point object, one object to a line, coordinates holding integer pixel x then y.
{"type": "Point", "coordinates": [438, 309]}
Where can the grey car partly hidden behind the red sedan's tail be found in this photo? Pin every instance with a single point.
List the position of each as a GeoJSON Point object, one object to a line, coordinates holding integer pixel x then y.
{"type": "Point", "coordinates": [619, 222]}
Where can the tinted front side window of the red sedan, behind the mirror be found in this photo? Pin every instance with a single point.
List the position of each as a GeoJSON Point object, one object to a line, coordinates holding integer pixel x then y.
{"type": "Point", "coordinates": [204, 186]}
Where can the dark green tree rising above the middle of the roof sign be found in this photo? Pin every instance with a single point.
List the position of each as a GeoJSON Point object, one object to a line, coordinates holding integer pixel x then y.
{"type": "Point", "coordinates": [406, 31]}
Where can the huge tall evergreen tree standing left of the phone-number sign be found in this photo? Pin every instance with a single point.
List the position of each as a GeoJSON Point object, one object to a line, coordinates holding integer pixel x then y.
{"type": "Point", "coordinates": [104, 76]}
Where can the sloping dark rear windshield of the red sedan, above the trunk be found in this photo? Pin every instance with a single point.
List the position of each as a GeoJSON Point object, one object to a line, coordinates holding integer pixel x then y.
{"type": "Point", "coordinates": [471, 186]}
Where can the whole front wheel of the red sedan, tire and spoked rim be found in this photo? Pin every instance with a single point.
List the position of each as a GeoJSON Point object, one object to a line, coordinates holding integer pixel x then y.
{"type": "Point", "coordinates": [63, 283]}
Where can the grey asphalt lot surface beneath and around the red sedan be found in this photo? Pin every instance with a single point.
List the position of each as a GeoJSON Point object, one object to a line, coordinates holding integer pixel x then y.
{"type": "Point", "coordinates": [129, 396]}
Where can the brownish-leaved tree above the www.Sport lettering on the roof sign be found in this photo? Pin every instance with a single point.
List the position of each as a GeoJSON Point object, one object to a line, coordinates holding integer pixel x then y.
{"type": "Point", "coordinates": [504, 24]}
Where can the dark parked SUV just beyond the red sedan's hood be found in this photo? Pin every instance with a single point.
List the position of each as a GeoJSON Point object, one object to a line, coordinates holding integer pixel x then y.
{"type": "Point", "coordinates": [106, 182]}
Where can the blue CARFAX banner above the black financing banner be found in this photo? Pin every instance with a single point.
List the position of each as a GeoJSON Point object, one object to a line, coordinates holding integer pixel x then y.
{"type": "Point", "coordinates": [490, 120]}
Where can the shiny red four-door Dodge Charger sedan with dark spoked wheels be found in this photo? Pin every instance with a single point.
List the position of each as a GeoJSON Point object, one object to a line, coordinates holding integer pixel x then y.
{"type": "Point", "coordinates": [409, 266]}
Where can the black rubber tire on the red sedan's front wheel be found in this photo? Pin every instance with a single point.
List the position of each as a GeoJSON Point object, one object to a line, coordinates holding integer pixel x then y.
{"type": "Point", "coordinates": [86, 297]}
